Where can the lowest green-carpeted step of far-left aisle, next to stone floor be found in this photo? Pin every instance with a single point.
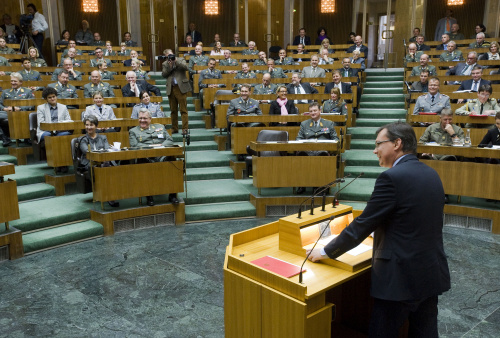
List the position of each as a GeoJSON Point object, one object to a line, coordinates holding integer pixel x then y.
{"type": "Point", "coordinates": [61, 235]}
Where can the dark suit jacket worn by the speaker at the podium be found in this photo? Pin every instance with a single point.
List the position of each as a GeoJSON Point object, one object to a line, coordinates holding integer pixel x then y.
{"type": "Point", "coordinates": [406, 213]}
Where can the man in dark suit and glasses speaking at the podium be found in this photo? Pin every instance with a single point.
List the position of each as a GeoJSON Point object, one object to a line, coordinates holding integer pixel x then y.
{"type": "Point", "coordinates": [409, 266]}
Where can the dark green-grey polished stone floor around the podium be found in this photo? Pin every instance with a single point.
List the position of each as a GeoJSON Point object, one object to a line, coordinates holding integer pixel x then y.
{"type": "Point", "coordinates": [167, 282]}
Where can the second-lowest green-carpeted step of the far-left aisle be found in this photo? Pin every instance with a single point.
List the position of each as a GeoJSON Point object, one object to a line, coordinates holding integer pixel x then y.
{"type": "Point", "coordinates": [53, 211]}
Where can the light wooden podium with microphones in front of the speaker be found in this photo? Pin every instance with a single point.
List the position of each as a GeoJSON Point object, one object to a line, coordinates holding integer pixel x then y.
{"type": "Point", "coordinates": [260, 303]}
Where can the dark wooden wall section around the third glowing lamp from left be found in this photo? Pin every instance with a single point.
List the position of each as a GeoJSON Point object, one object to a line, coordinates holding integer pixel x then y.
{"type": "Point", "coordinates": [338, 24]}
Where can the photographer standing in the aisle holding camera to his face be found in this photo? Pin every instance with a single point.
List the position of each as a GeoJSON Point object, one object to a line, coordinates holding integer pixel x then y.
{"type": "Point", "coordinates": [174, 70]}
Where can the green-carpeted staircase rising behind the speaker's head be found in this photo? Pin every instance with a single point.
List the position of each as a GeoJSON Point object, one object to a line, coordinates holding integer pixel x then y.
{"type": "Point", "coordinates": [382, 102]}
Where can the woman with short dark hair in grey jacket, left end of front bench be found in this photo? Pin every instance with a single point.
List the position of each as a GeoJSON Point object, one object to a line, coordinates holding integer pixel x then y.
{"type": "Point", "coordinates": [95, 142]}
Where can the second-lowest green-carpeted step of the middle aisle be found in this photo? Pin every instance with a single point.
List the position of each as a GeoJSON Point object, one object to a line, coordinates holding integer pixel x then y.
{"type": "Point", "coordinates": [214, 191]}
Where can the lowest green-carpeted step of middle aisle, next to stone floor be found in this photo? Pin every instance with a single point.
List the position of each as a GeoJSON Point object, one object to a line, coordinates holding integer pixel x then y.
{"type": "Point", "coordinates": [219, 210]}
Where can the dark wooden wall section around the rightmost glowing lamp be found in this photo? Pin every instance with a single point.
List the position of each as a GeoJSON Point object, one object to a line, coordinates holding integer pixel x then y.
{"type": "Point", "coordinates": [467, 15]}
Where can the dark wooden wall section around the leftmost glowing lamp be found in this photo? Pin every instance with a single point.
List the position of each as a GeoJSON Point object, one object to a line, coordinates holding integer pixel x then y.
{"type": "Point", "coordinates": [105, 21]}
